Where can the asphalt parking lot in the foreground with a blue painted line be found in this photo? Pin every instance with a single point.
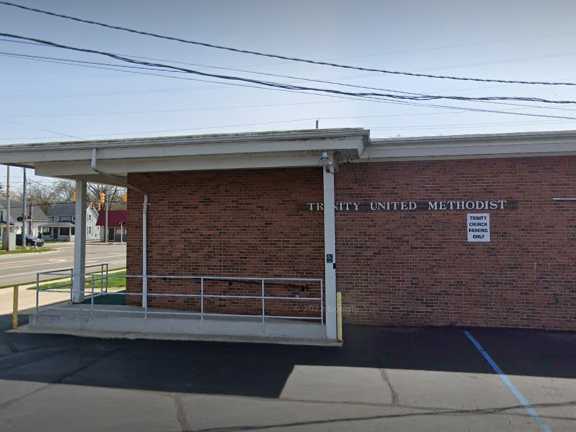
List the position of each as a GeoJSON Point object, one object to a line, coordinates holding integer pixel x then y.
{"type": "Point", "coordinates": [382, 380]}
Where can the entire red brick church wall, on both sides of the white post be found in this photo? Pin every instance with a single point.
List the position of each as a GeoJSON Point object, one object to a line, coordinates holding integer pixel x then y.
{"type": "Point", "coordinates": [394, 268]}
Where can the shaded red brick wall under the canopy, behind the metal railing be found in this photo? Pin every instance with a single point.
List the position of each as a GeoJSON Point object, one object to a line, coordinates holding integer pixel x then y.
{"type": "Point", "coordinates": [230, 223]}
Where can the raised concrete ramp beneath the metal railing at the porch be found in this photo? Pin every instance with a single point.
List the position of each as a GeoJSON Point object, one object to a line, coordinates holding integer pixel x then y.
{"type": "Point", "coordinates": [128, 322]}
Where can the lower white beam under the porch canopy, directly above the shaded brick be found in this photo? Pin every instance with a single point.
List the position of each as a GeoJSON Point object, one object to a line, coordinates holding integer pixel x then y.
{"type": "Point", "coordinates": [122, 167]}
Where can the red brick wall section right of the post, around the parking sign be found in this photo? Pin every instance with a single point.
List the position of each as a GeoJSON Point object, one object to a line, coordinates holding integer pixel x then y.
{"type": "Point", "coordinates": [416, 268]}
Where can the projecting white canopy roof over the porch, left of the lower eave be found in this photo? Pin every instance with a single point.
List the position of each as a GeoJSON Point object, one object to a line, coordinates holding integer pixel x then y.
{"type": "Point", "coordinates": [116, 159]}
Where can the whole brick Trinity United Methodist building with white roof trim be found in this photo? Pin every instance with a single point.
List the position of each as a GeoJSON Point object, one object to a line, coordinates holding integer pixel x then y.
{"type": "Point", "coordinates": [474, 230]}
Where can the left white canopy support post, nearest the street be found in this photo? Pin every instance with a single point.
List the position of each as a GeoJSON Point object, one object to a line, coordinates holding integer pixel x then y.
{"type": "Point", "coordinates": [79, 243]}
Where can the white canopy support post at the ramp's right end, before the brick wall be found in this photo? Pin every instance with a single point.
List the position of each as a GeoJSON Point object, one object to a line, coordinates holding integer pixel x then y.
{"type": "Point", "coordinates": [329, 247]}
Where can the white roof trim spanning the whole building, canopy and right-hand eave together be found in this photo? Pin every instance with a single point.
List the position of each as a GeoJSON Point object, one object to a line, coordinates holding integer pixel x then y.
{"type": "Point", "coordinates": [278, 149]}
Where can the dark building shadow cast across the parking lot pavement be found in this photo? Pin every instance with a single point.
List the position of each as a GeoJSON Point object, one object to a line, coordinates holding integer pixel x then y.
{"type": "Point", "coordinates": [262, 370]}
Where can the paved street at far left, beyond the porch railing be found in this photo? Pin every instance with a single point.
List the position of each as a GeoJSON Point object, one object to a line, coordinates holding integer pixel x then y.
{"type": "Point", "coordinates": [21, 268]}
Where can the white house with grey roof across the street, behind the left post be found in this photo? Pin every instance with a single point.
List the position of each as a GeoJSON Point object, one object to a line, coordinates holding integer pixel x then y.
{"type": "Point", "coordinates": [61, 222]}
